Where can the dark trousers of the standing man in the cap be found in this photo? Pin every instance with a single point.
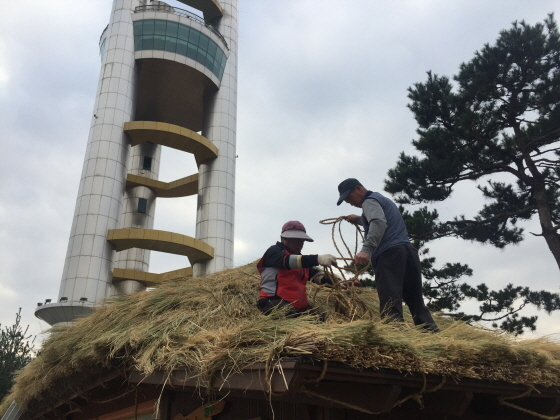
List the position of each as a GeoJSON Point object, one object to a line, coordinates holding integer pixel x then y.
{"type": "Point", "coordinates": [399, 278]}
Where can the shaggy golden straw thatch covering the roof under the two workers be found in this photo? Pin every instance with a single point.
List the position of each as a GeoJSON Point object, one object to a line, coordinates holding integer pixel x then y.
{"type": "Point", "coordinates": [210, 325]}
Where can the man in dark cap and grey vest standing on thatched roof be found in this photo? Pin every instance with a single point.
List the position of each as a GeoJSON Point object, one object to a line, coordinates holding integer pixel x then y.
{"type": "Point", "coordinates": [386, 245]}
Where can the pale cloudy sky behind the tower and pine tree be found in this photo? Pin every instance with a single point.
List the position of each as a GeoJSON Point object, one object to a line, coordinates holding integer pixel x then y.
{"type": "Point", "coordinates": [322, 96]}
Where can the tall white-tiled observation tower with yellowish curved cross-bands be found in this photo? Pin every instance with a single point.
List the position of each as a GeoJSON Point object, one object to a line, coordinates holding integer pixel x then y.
{"type": "Point", "coordinates": [168, 79]}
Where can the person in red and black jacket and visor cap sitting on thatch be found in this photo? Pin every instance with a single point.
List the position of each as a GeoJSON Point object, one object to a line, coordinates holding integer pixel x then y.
{"type": "Point", "coordinates": [285, 272]}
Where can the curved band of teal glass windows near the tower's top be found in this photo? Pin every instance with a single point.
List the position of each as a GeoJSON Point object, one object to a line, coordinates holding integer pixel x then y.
{"type": "Point", "coordinates": [157, 34]}
